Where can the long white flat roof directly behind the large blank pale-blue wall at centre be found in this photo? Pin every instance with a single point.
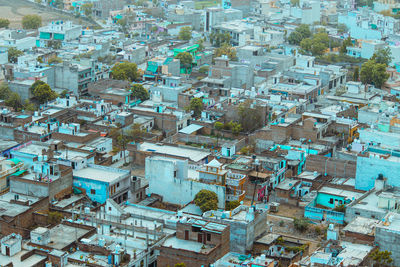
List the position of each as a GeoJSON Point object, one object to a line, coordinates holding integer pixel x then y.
{"type": "Point", "coordinates": [183, 152]}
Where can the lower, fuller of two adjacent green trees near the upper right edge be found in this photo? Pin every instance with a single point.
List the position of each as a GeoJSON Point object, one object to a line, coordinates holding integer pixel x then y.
{"type": "Point", "coordinates": [373, 73]}
